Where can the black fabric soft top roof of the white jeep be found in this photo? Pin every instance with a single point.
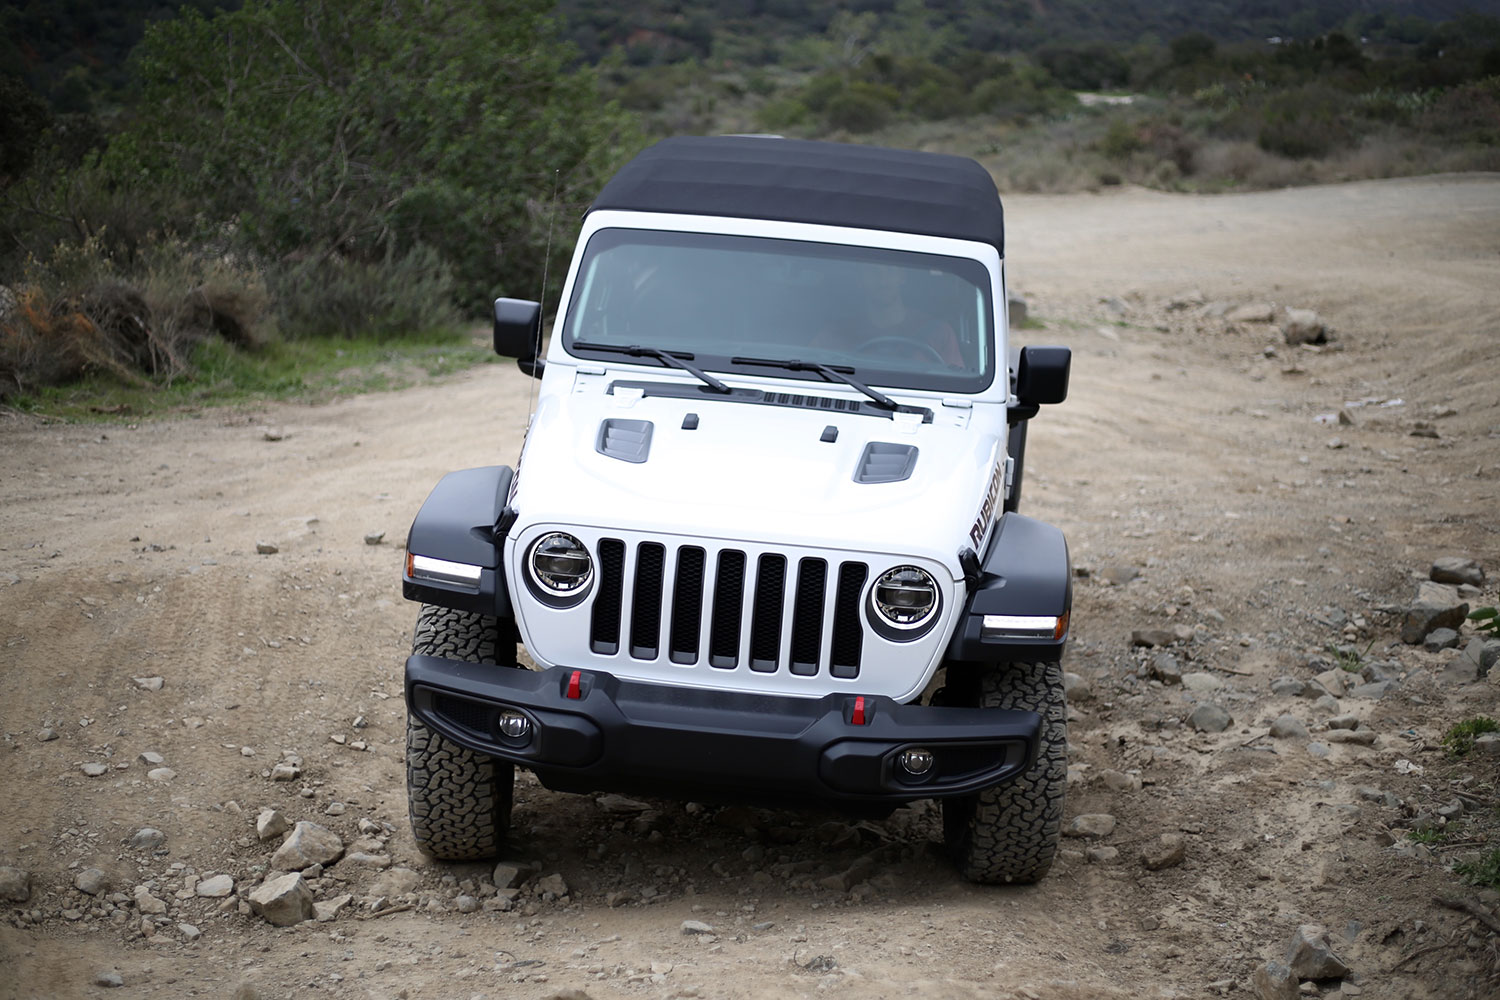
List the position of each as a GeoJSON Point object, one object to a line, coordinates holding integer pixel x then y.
{"type": "Point", "coordinates": [827, 184]}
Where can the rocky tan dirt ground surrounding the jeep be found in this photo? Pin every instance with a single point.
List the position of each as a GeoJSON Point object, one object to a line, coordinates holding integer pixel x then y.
{"type": "Point", "coordinates": [203, 639]}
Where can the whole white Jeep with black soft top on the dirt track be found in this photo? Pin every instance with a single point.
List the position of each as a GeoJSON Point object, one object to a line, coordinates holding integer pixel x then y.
{"type": "Point", "coordinates": [763, 542]}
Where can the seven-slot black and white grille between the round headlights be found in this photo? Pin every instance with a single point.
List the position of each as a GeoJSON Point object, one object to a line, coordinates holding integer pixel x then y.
{"type": "Point", "coordinates": [730, 611]}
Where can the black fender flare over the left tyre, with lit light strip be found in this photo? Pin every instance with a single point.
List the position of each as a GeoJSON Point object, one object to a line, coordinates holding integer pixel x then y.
{"type": "Point", "coordinates": [460, 524]}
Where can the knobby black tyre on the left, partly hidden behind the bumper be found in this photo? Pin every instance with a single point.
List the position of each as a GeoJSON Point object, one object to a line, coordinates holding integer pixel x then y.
{"type": "Point", "coordinates": [460, 800]}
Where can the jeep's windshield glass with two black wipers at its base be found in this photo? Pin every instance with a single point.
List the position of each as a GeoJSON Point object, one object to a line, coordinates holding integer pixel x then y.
{"type": "Point", "coordinates": [895, 317]}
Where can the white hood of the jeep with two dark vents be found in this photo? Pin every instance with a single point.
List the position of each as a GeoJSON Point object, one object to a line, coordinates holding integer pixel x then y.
{"type": "Point", "coordinates": [754, 472]}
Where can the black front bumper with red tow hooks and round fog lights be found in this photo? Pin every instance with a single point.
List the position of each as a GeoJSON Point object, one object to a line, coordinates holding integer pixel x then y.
{"type": "Point", "coordinates": [653, 738]}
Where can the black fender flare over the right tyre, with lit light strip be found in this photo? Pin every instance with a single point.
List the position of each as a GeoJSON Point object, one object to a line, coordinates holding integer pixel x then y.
{"type": "Point", "coordinates": [1027, 573]}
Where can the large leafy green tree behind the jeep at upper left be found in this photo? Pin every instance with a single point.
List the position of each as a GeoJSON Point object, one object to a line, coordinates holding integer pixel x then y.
{"type": "Point", "coordinates": [367, 128]}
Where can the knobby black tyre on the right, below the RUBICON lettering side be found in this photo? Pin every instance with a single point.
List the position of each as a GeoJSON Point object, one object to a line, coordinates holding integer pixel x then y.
{"type": "Point", "coordinates": [1010, 833]}
